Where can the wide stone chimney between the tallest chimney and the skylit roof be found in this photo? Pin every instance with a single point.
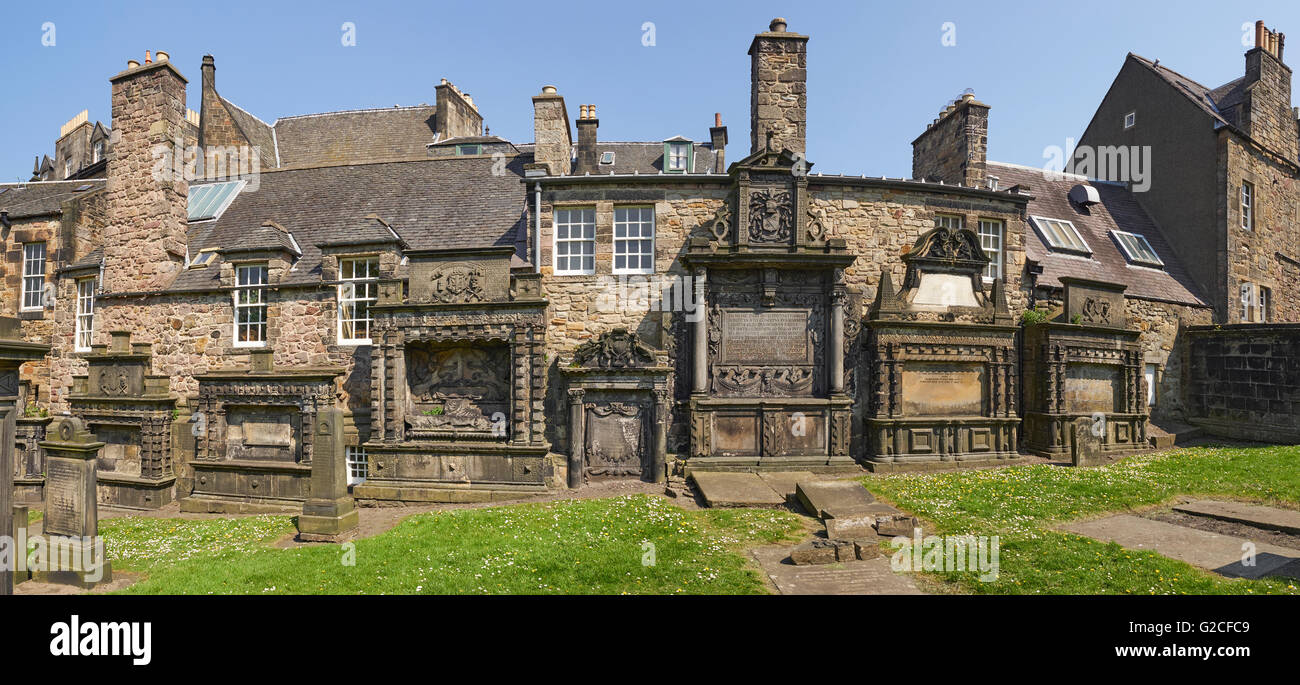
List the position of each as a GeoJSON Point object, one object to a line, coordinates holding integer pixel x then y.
{"type": "Point", "coordinates": [955, 148]}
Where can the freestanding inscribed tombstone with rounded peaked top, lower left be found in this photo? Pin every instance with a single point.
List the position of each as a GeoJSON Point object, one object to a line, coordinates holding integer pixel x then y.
{"type": "Point", "coordinates": [73, 556]}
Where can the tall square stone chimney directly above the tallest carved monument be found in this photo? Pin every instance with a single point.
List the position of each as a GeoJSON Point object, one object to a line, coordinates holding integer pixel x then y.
{"type": "Point", "coordinates": [778, 99]}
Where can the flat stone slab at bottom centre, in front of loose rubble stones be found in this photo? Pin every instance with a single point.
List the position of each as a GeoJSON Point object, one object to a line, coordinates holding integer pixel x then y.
{"type": "Point", "coordinates": [851, 578]}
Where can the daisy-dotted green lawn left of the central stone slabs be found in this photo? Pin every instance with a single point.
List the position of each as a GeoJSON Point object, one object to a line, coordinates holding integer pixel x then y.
{"type": "Point", "coordinates": [597, 547]}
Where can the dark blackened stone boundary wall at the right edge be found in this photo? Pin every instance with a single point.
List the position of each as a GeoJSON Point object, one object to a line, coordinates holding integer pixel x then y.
{"type": "Point", "coordinates": [1246, 381]}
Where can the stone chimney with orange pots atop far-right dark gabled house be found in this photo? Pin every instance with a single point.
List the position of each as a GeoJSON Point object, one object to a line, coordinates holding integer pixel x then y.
{"type": "Point", "coordinates": [1267, 114]}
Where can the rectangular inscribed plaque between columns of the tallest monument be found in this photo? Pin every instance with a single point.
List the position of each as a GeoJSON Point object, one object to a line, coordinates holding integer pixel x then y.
{"type": "Point", "coordinates": [766, 337]}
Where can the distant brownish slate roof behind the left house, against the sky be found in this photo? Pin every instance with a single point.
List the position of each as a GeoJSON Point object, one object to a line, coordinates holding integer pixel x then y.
{"type": "Point", "coordinates": [357, 137]}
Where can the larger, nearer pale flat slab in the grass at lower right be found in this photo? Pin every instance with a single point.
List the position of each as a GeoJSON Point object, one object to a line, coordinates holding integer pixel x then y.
{"type": "Point", "coordinates": [1221, 554]}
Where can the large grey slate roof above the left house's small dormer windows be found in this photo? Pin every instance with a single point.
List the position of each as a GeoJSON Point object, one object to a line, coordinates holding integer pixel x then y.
{"type": "Point", "coordinates": [439, 203]}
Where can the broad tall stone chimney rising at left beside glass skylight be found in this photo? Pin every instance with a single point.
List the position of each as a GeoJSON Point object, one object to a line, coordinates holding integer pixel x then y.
{"type": "Point", "coordinates": [145, 239]}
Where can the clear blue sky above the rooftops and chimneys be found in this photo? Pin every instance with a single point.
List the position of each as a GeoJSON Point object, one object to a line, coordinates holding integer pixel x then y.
{"type": "Point", "coordinates": [878, 72]}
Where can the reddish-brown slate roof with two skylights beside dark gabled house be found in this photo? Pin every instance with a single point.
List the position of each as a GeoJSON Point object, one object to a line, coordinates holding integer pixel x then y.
{"type": "Point", "coordinates": [1119, 210]}
